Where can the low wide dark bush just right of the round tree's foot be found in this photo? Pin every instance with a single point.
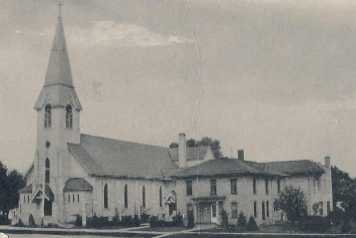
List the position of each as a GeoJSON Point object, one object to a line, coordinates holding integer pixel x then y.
{"type": "Point", "coordinates": [315, 224]}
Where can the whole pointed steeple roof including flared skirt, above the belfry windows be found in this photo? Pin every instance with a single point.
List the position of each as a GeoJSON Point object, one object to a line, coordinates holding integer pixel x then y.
{"type": "Point", "coordinates": [58, 89]}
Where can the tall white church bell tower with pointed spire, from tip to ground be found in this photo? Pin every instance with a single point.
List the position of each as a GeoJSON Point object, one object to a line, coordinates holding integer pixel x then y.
{"type": "Point", "coordinates": [58, 123]}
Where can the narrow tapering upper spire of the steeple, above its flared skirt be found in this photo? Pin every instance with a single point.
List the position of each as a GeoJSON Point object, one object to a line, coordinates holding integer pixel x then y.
{"type": "Point", "coordinates": [59, 70]}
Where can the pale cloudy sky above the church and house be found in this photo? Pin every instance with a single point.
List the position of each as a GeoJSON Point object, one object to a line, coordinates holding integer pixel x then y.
{"type": "Point", "coordinates": [276, 78]}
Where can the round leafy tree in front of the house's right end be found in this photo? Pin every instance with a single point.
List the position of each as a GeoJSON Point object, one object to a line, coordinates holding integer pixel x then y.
{"type": "Point", "coordinates": [292, 202]}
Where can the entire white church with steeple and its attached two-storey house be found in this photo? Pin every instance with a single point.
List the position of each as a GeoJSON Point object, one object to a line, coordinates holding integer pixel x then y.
{"type": "Point", "coordinates": [78, 174]}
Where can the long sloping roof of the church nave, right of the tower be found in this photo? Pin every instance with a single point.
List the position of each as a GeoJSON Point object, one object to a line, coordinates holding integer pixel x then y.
{"type": "Point", "coordinates": [116, 158]}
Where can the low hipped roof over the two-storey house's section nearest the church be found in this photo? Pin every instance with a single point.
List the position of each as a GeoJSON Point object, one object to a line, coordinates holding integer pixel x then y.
{"type": "Point", "coordinates": [221, 167]}
